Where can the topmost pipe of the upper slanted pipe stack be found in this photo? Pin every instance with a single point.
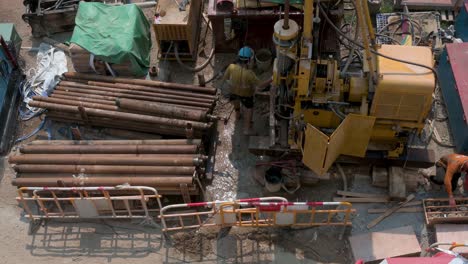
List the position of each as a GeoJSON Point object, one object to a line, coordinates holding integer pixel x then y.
{"type": "Point", "coordinates": [187, 87]}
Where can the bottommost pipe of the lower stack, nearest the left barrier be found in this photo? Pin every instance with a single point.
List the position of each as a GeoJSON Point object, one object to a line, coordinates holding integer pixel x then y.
{"type": "Point", "coordinates": [163, 180]}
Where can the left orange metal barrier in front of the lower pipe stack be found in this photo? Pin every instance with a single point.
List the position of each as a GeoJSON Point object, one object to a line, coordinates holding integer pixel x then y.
{"type": "Point", "coordinates": [120, 202]}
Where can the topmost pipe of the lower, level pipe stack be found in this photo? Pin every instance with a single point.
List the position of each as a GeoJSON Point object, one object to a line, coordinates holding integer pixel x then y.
{"type": "Point", "coordinates": [119, 142]}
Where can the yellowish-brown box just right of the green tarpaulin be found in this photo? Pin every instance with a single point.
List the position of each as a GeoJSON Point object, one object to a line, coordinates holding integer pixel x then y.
{"type": "Point", "coordinates": [171, 24]}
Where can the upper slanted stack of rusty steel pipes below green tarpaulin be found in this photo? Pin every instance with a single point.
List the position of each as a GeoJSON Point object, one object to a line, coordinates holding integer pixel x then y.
{"type": "Point", "coordinates": [172, 109]}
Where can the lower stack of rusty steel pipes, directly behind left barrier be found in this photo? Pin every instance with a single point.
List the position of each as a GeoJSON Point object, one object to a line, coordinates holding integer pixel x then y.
{"type": "Point", "coordinates": [163, 164]}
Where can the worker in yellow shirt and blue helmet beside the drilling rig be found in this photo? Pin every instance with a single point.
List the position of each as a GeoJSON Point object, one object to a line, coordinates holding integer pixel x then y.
{"type": "Point", "coordinates": [243, 83]}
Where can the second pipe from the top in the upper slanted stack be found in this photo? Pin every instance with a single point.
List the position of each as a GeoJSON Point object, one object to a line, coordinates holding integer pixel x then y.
{"type": "Point", "coordinates": [152, 89]}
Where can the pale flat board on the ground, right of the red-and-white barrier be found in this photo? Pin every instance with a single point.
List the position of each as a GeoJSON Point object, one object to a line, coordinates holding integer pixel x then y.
{"type": "Point", "coordinates": [376, 246]}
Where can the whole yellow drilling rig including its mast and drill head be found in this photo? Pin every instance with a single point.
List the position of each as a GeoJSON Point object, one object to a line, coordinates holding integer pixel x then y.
{"type": "Point", "coordinates": [321, 109]}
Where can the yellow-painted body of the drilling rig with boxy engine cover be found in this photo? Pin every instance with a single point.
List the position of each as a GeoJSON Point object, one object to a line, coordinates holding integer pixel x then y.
{"type": "Point", "coordinates": [380, 117]}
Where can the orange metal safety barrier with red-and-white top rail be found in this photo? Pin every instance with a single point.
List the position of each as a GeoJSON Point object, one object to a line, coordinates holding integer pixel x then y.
{"type": "Point", "coordinates": [257, 212]}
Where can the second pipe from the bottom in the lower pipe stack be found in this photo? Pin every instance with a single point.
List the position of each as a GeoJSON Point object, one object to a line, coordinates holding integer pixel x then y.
{"type": "Point", "coordinates": [104, 169]}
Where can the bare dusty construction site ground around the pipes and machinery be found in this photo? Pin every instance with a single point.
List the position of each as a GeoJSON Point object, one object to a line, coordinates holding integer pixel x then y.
{"type": "Point", "coordinates": [125, 242]}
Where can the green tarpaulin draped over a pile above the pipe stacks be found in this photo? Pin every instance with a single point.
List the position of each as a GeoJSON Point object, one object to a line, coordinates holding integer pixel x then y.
{"type": "Point", "coordinates": [115, 34]}
